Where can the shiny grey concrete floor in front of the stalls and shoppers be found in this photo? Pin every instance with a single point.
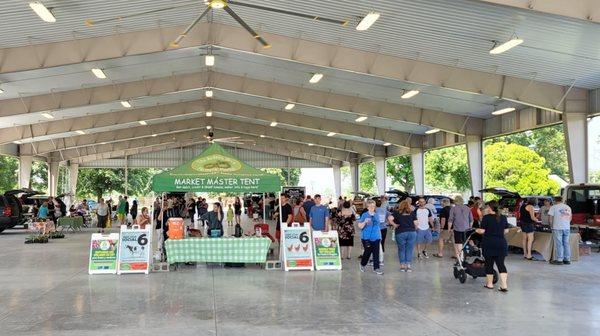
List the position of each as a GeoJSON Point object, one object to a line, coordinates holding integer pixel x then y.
{"type": "Point", "coordinates": [45, 290]}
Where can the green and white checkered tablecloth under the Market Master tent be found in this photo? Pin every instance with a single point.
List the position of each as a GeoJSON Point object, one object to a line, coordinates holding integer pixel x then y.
{"type": "Point", "coordinates": [234, 250]}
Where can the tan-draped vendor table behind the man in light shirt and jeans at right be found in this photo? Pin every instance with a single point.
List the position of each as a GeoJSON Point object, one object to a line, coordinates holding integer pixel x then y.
{"type": "Point", "coordinates": [543, 243]}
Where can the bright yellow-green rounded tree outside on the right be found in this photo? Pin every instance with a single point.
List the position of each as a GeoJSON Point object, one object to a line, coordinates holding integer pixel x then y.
{"type": "Point", "coordinates": [517, 168]}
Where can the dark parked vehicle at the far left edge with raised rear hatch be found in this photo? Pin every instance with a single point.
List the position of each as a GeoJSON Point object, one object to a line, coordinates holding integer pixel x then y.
{"type": "Point", "coordinates": [11, 209]}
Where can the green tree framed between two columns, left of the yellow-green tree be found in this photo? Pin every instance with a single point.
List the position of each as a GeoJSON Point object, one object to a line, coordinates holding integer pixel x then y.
{"type": "Point", "coordinates": [446, 170]}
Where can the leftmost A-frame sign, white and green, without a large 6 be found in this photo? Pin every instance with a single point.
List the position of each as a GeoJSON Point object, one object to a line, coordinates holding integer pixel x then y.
{"type": "Point", "coordinates": [103, 253]}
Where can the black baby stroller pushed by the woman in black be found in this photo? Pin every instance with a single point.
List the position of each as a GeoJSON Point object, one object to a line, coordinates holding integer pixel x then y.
{"type": "Point", "coordinates": [471, 262]}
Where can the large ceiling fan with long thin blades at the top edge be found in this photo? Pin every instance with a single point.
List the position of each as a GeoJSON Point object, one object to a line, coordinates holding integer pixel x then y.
{"type": "Point", "coordinates": [226, 6]}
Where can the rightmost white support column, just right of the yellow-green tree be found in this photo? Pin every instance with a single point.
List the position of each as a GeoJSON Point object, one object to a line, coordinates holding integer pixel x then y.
{"type": "Point", "coordinates": [575, 126]}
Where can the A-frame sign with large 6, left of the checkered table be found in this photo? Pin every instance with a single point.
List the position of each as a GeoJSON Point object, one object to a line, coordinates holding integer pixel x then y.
{"type": "Point", "coordinates": [134, 251]}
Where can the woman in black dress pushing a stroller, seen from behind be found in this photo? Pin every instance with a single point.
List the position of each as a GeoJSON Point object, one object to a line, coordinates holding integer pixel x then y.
{"type": "Point", "coordinates": [495, 248]}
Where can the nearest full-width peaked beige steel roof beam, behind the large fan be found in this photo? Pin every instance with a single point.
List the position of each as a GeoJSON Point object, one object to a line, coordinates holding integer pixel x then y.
{"type": "Point", "coordinates": [533, 93]}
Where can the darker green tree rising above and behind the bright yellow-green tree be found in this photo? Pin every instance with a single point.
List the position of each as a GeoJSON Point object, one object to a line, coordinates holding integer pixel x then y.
{"type": "Point", "coordinates": [549, 142]}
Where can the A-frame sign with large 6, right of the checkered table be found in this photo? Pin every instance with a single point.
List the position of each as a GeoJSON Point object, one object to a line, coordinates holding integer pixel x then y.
{"type": "Point", "coordinates": [297, 248]}
